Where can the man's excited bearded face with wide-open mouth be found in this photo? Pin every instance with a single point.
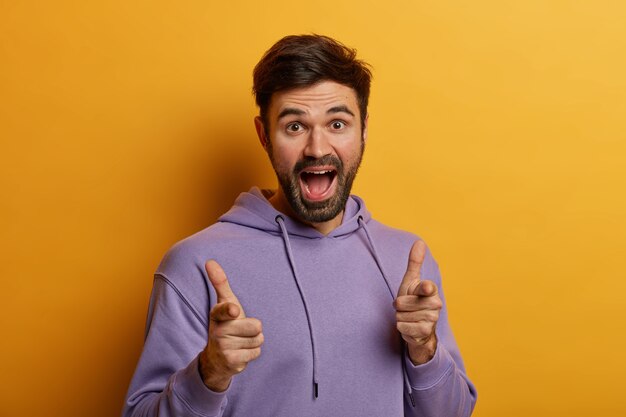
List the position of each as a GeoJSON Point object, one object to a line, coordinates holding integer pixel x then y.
{"type": "Point", "coordinates": [315, 145]}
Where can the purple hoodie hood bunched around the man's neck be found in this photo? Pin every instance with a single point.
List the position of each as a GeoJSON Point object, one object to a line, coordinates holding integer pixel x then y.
{"type": "Point", "coordinates": [252, 209]}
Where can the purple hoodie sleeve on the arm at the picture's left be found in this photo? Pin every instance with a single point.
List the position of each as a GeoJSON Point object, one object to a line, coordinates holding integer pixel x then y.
{"type": "Point", "coordinates": [167, 381]}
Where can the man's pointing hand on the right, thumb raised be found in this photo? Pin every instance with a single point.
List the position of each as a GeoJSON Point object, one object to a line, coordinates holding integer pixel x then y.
{"type": "Point", "coordinates": [417, 308]}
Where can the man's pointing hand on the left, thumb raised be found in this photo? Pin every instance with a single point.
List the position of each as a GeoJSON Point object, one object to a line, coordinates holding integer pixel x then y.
{"type": "Point", "coordinates": [233, 341]}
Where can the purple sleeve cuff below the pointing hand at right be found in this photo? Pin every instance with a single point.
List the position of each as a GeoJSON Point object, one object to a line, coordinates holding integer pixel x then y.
{"type": "Point", "coordinates": [431, 373]}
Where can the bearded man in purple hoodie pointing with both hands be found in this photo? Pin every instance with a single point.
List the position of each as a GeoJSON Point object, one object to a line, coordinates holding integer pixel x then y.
{"type": "Point", "coordinates": [296, 302]}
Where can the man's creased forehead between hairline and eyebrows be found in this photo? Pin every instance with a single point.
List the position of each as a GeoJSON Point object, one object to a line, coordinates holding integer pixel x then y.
{"type": "Point", "coordinates": [313, 99]}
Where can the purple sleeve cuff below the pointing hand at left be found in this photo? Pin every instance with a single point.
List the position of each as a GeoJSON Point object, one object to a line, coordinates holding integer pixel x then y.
{"type": "Point", "coordinates": [190, 388]}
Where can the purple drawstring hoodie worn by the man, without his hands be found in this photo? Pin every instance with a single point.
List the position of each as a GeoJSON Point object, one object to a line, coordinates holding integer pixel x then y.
{"type": "Point", "coordinates": [331, 345]}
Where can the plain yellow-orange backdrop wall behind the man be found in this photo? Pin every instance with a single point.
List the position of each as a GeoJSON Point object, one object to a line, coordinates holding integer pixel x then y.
{"type": "Point", "coordinates": [497, 132]}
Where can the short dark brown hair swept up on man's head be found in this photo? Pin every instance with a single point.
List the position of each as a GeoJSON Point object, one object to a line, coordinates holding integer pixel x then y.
{"type": "Point", "coordinates": [303, 60]}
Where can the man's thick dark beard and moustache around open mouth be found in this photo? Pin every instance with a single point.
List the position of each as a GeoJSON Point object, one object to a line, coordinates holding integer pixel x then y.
{"type": "Point", "coordinates": [321, 211]}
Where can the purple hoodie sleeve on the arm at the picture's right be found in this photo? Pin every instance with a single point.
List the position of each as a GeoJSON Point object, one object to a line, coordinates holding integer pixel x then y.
{"type": "Point", "coordinates": [440, 386]}
